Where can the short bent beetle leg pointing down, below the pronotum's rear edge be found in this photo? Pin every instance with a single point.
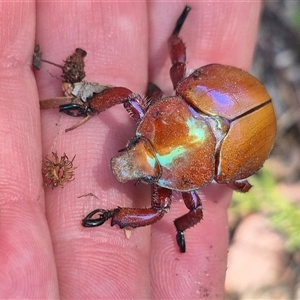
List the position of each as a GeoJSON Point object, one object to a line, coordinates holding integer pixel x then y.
{"type": "Point", "coordinates": [193, 203]}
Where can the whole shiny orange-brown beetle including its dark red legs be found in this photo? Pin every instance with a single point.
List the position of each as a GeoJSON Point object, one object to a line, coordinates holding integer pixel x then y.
{"type": "Point", "coordinates": [219, 127]}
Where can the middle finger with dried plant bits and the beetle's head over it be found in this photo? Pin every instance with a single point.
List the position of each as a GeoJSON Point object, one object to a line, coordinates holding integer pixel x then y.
{"type": "Point", "coordinates": [95, 262]}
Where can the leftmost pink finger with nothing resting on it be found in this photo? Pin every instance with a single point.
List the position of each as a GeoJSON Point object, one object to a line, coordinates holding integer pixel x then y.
{"type": "Point", "coordinates": [27, 261]}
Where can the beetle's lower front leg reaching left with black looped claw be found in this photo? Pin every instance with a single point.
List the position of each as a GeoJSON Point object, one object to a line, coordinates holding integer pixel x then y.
{"type": "Point", "coordinates": [134, 217]}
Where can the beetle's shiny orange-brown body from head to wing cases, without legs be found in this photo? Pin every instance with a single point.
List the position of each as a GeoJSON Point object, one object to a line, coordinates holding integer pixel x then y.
{"type": "Point", "coordinates": [219, 127]}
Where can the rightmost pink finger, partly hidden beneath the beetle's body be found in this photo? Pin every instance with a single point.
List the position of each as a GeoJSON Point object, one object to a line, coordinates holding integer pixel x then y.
{"type": "Point", "coordinates": [213, 33]}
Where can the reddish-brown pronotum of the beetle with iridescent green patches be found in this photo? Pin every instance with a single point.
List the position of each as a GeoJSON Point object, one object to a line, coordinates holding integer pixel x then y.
{"type": "Point", "coordinates": [182, 141]}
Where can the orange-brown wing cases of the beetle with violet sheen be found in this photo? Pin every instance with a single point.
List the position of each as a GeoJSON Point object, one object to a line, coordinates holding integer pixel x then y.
{"type": "Point", "coordinates": [231, 93]}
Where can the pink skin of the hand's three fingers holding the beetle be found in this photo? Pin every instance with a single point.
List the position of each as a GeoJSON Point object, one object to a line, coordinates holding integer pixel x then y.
{"type": "Point", "coordinates": [44, 250]}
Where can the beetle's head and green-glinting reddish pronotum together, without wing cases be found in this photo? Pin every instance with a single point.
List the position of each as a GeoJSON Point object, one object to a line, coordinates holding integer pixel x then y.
{"type": "Point", "coordinates": [182, 151]}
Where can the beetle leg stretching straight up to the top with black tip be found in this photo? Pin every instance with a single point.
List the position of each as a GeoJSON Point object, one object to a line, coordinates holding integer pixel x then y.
{"type": "Point", "coordinates": [177, 50]}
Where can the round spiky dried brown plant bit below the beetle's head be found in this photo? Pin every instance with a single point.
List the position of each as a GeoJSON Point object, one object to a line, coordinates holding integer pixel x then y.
{"type": "Point", "coordinates": [58, 171]}
